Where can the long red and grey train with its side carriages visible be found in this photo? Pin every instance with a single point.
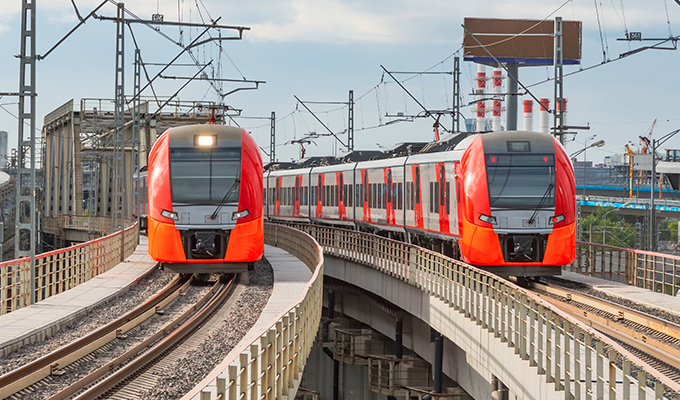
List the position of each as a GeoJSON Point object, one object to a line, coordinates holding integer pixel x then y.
{"type": "Point", "coordinates": [506, 198]}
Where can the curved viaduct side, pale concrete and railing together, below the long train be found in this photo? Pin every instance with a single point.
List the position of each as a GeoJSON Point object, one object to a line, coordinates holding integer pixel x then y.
{"type": "Point", "coordinates": [546, 343]}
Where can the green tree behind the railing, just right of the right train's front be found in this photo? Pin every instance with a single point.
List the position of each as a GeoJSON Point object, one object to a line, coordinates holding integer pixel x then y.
{"type": "Point", "coordinates": [608, 228]}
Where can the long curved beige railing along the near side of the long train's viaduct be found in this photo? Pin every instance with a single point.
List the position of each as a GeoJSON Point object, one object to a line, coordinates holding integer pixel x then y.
{"type": "Point", "coordinates": [577, 359]}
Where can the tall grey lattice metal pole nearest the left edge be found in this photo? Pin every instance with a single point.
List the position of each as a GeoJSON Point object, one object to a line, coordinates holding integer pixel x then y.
{"type": "Point", "coordinates": [26, 216]}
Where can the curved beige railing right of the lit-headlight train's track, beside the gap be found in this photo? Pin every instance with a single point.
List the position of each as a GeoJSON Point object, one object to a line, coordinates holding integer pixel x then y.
{"type": "Point", "coordinates": [271, 366]}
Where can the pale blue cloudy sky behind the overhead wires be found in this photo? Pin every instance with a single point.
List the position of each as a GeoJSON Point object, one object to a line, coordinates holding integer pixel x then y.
{"type": "Point", "coordinates": [318, 50]}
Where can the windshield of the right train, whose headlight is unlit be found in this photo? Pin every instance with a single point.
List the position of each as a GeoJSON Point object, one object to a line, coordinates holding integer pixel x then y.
{"type": "Point", "coordinates": [521, 180]}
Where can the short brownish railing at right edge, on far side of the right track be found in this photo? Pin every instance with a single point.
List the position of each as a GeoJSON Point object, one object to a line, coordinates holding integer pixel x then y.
{"type": "Point", "coordinates": [654, 271]}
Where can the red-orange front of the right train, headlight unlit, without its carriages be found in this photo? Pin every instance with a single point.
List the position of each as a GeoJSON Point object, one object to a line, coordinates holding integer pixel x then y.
{"type": "Point", "coordinates": [518, 203]}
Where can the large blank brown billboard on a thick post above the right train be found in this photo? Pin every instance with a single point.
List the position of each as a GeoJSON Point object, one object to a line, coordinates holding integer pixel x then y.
{"type": "Point", "coordinates": [520, 41]}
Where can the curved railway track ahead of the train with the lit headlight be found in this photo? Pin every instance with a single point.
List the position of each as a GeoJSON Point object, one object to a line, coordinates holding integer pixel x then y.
{"type": "Point", "coordinates": [19, 381]}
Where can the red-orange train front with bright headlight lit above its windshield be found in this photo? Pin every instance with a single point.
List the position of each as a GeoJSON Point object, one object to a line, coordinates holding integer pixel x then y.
{"type": "Point", "coordinates": [205, 200]}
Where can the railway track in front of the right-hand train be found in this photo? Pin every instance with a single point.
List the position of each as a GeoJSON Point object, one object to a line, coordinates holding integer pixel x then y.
{"type": "Point", "coordinates": [653, 340]}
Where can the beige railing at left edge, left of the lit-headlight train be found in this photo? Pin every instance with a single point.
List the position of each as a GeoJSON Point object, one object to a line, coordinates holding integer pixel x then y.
{"type": "Point", "coordinates": [59, 270]}
